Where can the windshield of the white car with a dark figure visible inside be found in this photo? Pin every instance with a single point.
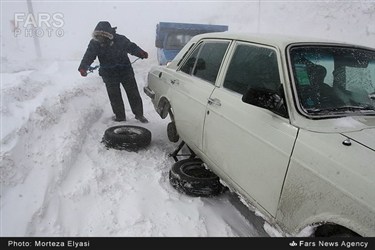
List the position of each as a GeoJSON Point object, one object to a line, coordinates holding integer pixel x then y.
{"type": "Point", "coordinates": [334, 81]}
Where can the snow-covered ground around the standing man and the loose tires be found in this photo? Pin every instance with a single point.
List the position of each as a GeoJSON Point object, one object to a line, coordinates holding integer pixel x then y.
{"type": "Point", "coordinates": [58, 179]}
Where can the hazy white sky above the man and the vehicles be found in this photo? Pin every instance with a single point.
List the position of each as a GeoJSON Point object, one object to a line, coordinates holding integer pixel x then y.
{"type": "Point", "coordinates": [350, 21]}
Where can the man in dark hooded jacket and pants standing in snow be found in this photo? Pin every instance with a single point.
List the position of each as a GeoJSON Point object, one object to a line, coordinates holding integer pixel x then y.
{"type": "Point", "coordinates": [115, 68]}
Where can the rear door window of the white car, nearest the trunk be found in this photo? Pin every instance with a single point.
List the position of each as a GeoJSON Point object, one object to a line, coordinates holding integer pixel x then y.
{"type": "Point", "coordinates": [205, 61]}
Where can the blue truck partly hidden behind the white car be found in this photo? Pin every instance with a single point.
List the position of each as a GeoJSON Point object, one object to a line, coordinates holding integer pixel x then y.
{"type": "Point", "coordinates": [172, 37]}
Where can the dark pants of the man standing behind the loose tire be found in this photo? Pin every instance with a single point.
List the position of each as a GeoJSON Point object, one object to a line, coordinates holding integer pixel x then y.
{"type": "Point", "coordinates": [114, 93]}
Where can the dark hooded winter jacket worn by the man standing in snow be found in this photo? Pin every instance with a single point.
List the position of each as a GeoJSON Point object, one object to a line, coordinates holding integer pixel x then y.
{"type": "Point", "coordinates": [113, 58]}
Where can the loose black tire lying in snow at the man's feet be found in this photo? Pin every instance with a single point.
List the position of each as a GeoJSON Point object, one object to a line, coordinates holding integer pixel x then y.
{"type": "Point", "coordinates": [127, 137]}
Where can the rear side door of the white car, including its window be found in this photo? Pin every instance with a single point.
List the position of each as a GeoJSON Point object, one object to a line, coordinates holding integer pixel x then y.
{"type": "Point", "coordinates": [192, 84]}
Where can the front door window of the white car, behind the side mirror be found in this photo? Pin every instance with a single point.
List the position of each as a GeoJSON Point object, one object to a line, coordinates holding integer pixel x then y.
{"type": "Point", "coordinates": [252, 66]}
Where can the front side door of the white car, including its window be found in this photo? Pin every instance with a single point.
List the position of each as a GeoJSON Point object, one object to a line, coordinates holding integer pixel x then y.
{"type": "Point", "coordinates": [251, 145]}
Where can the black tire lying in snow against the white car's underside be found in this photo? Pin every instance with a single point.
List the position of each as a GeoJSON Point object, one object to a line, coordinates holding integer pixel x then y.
{"type": "Point", "coordinates": [189, 176]}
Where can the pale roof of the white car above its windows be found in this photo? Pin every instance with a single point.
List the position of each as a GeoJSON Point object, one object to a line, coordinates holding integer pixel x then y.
{"type": "Point", "coordinates": [276, 40]}
